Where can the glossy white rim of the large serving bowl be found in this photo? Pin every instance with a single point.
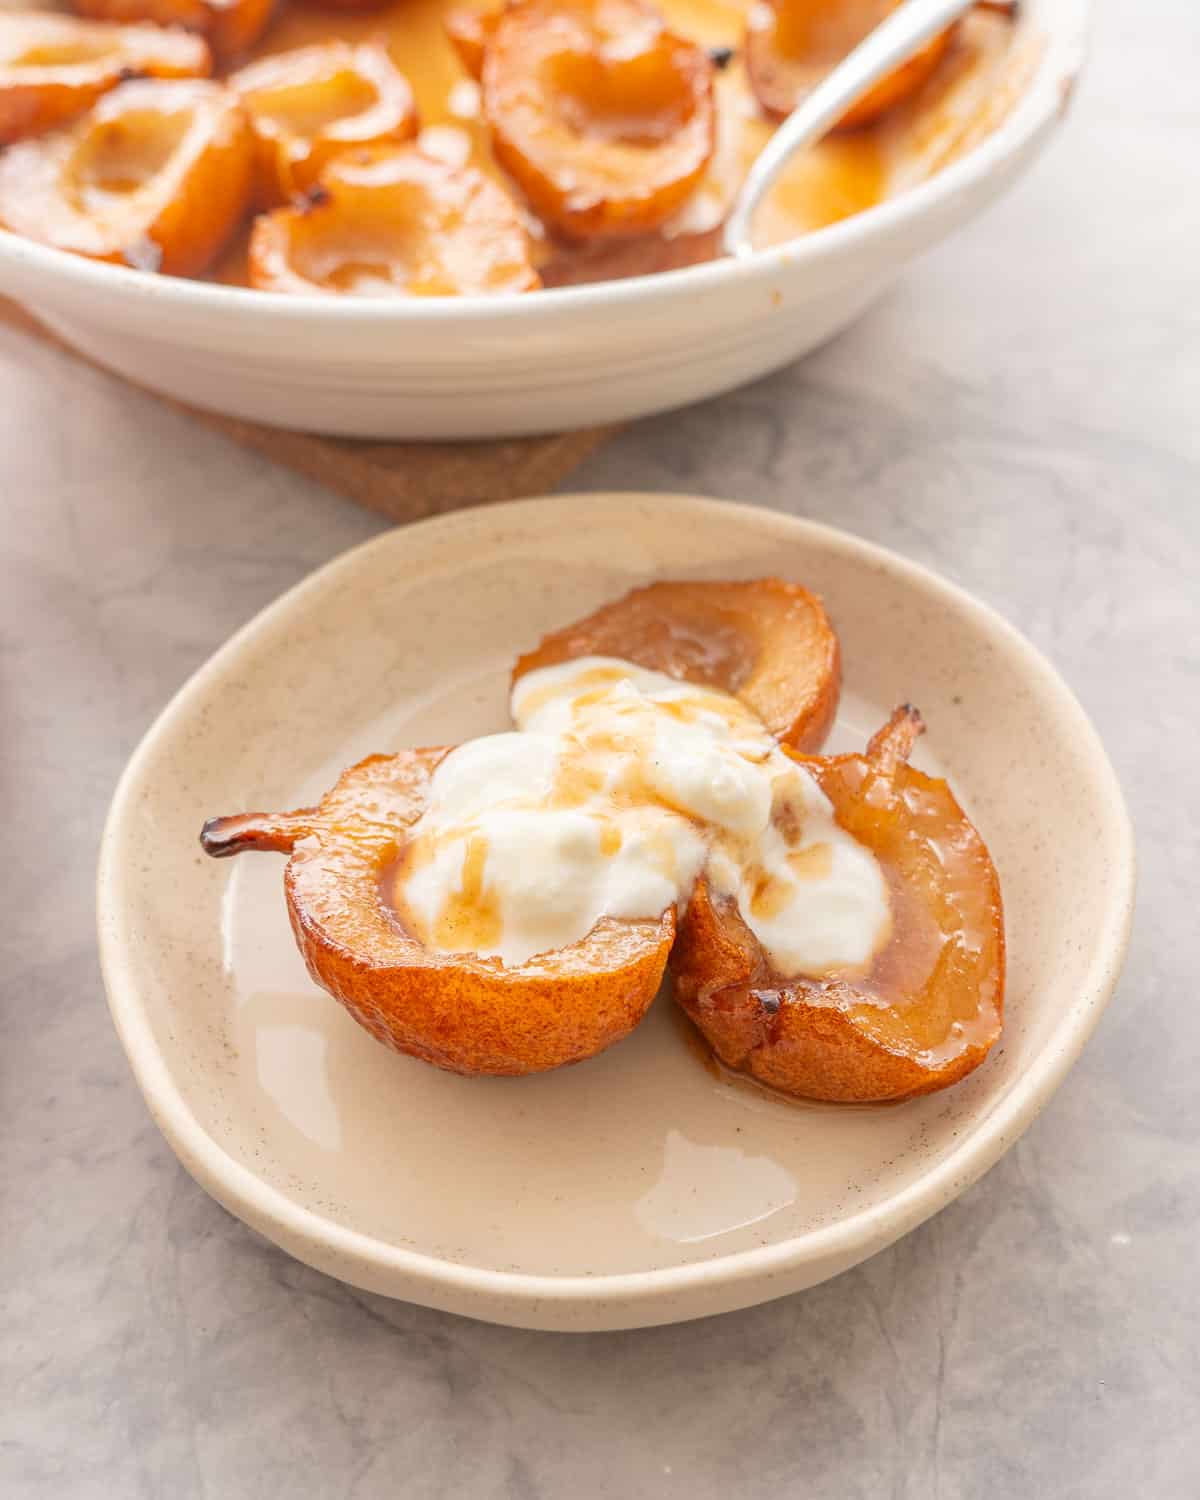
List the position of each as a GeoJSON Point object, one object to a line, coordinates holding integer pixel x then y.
{"type": "Point", "coordinates": [1045, 98]}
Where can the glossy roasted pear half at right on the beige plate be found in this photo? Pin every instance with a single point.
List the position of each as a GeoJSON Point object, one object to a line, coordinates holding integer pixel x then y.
{"type": "Point", "coordinates": [931, 1004]}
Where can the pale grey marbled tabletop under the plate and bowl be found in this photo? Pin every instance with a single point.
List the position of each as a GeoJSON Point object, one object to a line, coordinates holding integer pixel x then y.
{"type": "Point", "coordinates": [1022, 415]}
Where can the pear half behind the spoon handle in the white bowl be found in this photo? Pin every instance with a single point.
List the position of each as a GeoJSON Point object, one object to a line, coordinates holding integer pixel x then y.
{"type": "Point", "coordinates": [793, 44]}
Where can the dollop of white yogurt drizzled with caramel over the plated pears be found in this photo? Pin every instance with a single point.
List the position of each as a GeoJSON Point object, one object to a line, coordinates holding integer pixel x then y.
{"type": "Point", "coordinates": [617, 791]}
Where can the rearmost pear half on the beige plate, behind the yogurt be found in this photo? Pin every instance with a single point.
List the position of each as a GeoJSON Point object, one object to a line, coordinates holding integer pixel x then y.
{"type": "Point", "coordinates": [767, 643]}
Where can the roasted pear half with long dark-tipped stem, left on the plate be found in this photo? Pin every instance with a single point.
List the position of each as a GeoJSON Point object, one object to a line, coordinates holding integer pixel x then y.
{"type": "Point", "coordinates": [455, 1010]}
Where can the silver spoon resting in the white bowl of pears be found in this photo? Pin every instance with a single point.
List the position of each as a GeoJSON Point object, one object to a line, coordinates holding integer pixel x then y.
{"type": "Point", "coordinates": [886, 49]}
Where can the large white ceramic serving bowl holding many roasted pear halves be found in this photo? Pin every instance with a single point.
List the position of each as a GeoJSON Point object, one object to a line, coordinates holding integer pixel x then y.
{"type": "Point", "coordinates": [479, 367]}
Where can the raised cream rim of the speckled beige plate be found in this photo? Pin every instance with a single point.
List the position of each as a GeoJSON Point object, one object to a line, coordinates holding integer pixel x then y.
{"type": "Point", "coordinates": [857, 1234]}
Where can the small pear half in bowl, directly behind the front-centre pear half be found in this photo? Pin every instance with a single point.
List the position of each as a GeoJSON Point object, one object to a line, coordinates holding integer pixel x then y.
{"type": "Point", "coordinates": [316, 104]}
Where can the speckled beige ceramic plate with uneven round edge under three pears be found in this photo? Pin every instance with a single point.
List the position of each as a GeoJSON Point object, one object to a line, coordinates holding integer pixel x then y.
{"type": "Point", "coordinates": [638, 1187]}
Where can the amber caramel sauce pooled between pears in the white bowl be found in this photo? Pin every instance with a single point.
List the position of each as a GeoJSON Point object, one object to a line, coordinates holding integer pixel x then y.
{"type": "Point", "coordinates": [968, 97]}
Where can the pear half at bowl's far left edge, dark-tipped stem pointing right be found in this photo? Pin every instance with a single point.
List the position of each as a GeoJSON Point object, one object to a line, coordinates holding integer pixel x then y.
{"type": "Point", "coordinates": [53, 68]}
